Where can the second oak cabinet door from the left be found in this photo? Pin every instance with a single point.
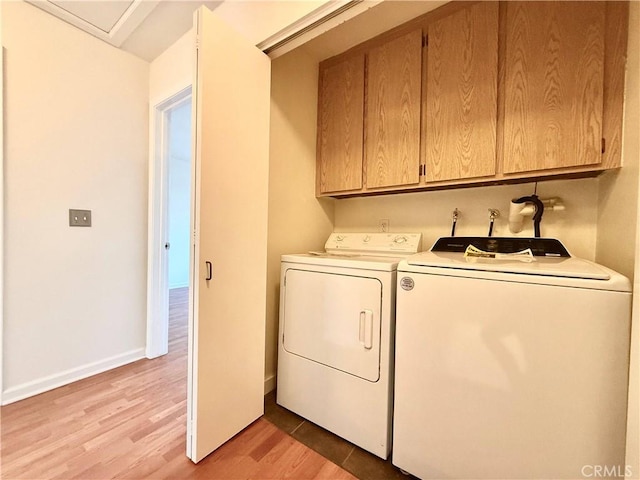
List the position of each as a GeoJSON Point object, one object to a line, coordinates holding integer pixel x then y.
{"type": "Point", "coordinates": [393, 112]}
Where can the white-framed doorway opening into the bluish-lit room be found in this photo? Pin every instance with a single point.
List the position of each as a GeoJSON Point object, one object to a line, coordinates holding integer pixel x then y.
{"type": "Point", "coordinates": [169, 215]}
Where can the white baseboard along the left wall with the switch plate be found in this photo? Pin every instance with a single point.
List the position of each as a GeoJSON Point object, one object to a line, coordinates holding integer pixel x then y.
{"type": "Point", "coordinates": [56, 380]}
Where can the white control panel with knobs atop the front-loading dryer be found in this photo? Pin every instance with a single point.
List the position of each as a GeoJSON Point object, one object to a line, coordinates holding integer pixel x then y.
{"type": "Point", "coordinates": [375, 244]}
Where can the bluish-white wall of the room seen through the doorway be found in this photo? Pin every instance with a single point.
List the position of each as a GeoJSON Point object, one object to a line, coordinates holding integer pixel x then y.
{"type": "Point", "coordinates": [179, 194]}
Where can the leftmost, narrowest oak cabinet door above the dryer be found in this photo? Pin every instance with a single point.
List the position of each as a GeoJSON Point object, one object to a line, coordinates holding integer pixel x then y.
{"type": "Point", "coordinates": [340, 126]}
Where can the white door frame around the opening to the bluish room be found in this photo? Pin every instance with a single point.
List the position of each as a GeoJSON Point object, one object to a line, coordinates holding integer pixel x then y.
{"type": "Point", "coordinates": [158, 221]}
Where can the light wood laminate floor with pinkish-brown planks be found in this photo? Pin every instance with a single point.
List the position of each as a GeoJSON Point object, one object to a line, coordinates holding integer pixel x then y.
{"type": "Point", "coordinates": [130, 423]}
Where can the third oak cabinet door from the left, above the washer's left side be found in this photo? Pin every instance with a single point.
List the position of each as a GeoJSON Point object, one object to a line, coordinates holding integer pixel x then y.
{"type": "Point", "coordinates": [461, 96]}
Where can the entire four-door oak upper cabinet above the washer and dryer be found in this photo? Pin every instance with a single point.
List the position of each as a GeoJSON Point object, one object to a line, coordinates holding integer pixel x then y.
{"type": "Point", "coordinates": [505, 91]}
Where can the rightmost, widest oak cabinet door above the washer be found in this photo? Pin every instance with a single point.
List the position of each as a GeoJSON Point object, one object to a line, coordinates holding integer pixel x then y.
{"type": "Point", "coordinates": [554, 70]}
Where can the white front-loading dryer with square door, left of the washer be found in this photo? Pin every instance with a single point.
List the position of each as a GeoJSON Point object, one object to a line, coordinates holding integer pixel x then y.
{"type": "Point", "coordinates": [335, 347]}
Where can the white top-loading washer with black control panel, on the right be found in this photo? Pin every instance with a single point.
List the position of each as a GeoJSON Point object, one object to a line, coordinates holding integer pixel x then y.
{"type": "Point", "coordinates": [510, 369]}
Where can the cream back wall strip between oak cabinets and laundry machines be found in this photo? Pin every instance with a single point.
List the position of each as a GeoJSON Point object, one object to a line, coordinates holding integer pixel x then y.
{"type": "Point", "coordinates": [430, 213]}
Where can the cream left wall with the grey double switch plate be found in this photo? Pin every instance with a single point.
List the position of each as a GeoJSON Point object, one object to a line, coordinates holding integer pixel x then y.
{"type": "Point", "coordinates": [76, 129]}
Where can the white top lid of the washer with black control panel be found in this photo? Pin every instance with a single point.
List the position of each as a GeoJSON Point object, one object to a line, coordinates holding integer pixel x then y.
{"type": "Point", "coordinates": [568, 267]}
